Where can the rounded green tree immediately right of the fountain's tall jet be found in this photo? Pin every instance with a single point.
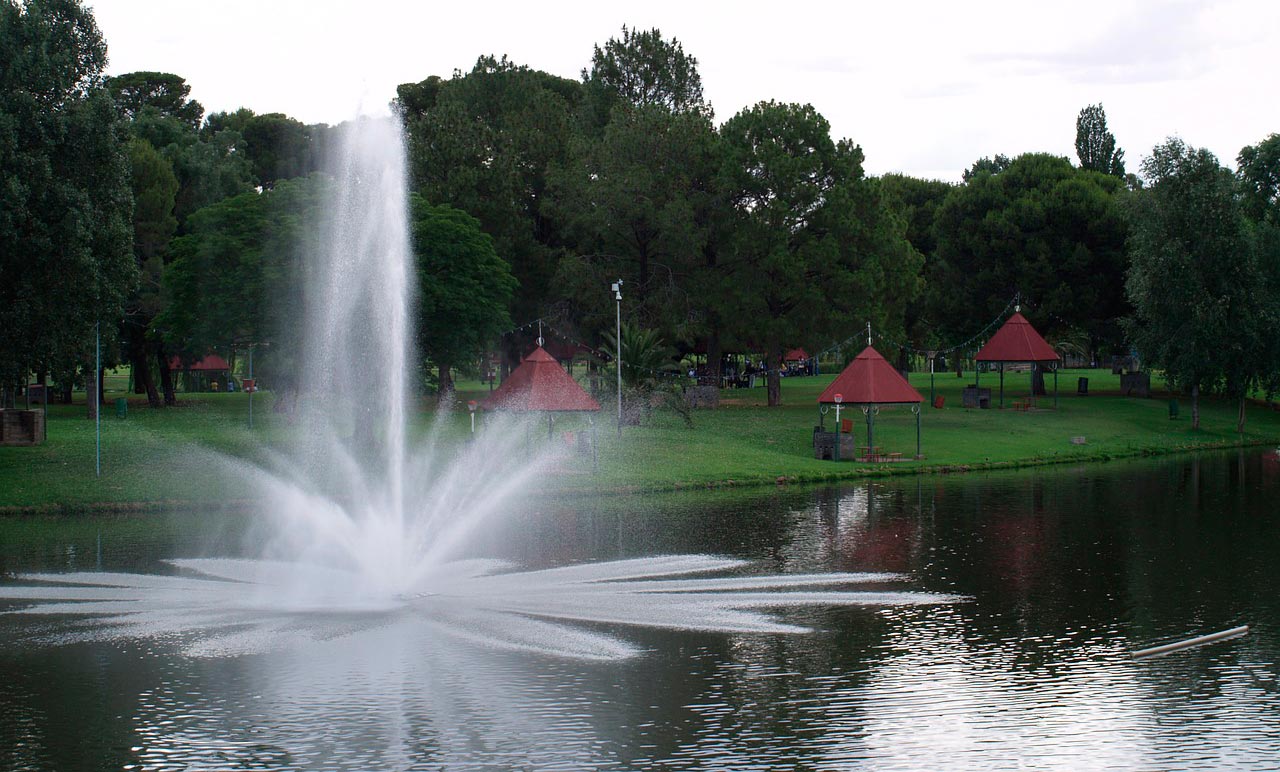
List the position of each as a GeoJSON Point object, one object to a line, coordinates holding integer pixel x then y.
{"type": "Point", "coordinates": [465, 289]}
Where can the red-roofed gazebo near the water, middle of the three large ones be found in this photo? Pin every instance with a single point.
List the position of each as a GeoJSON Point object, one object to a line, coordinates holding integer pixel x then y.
{"type": "Point", "coordinates": [868, 382]}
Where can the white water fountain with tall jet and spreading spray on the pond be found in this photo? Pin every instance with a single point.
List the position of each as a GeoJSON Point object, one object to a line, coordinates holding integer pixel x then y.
{"type": "Point", "coordinates": [363, 528]}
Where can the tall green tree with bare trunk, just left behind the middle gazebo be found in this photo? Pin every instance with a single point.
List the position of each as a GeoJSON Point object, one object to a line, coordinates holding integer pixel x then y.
{"type": "Point", "coordinates": [813, 243]}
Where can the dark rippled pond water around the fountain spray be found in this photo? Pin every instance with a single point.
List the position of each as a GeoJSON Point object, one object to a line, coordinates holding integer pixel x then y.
{"type": "Point", "coordinates": [1066, 572]}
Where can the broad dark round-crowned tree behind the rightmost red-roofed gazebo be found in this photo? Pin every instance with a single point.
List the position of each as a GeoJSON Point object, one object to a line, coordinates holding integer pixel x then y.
{"type": "Point", "coordinates": [1043, 230]}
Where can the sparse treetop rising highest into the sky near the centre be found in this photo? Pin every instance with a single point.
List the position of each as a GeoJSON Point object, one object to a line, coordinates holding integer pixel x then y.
{"type": "Point", "coordinates": [644, 71]}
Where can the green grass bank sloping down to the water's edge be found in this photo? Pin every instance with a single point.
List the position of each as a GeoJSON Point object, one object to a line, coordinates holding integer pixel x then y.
{"type": "Point", "coordinates": [153, 458]}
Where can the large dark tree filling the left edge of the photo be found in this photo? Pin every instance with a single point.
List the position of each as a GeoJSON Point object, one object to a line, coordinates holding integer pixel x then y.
{"type": "Point", "coordinates": [66, 261]}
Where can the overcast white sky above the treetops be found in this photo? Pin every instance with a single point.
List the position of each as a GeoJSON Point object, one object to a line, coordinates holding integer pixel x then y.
{"type": "Point", "coordinates": [925, 88]}
